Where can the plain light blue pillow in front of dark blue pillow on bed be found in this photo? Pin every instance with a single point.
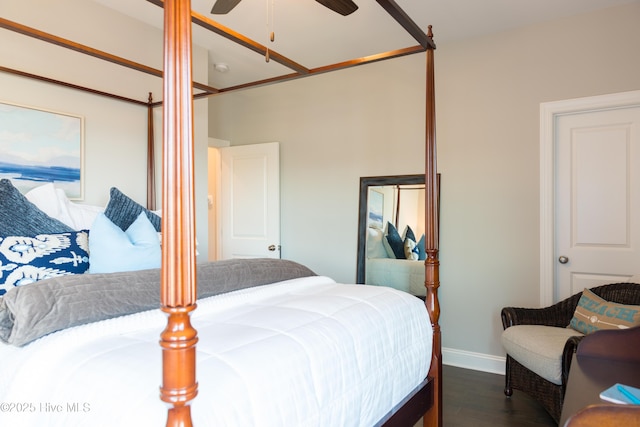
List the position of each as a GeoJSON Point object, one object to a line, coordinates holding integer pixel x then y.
{"type": "Point", "coordinates": [111, 249]}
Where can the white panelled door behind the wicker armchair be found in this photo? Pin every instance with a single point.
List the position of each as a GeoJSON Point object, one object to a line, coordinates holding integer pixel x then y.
{"type": "Point", "coordinates": [597, 199]}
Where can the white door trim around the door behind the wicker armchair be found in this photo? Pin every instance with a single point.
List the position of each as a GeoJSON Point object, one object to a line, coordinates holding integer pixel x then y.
{"type": "Point", "coordinates": [549, 113]}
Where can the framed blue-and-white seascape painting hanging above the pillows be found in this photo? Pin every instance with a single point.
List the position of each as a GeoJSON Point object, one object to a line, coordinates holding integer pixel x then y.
{"type": "Point", "coordinates": [39, 146]}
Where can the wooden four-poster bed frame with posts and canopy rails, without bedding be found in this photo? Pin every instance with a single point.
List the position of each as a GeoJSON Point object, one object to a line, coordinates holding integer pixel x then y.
{"type": "Point", "coordinates": [178, 276]}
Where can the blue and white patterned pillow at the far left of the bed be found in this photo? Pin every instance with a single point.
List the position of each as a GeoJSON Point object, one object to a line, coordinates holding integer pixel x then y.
{"type": "Point", "coordinates": [26, 260]}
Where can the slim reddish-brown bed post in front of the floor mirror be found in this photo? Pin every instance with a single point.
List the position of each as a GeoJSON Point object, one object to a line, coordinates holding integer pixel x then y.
{"type": "Point", "coordinates": [432, 281]}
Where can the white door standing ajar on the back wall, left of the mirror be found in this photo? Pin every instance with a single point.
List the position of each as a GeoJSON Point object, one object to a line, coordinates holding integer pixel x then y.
{"type": "Point", "coordinates": [250, 201]}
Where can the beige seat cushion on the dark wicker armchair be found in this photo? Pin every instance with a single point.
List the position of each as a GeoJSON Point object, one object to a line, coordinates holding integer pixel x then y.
{"type": "Point", "coordinates": [538, 348]}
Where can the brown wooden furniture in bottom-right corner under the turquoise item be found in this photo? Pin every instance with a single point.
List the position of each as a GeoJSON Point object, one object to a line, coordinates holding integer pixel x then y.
{"type": "Point", "coordinates": [603, 359]}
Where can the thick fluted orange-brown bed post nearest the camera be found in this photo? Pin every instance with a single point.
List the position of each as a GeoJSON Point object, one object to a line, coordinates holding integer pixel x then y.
{"type": "Point", "coordinates": [178, 278]}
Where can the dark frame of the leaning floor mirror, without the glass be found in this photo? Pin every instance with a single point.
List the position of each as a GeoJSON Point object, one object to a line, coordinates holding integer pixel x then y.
{"type": "Point", "coordinates": [365, 183]}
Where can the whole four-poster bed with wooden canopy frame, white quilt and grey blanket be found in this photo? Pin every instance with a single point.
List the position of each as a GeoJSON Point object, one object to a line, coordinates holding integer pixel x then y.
{"type": "Point", "coordinates": [210, 374]}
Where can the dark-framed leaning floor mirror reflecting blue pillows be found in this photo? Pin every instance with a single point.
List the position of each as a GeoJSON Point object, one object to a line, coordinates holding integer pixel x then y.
{"type": "Point", "coordinates": [391, 248]}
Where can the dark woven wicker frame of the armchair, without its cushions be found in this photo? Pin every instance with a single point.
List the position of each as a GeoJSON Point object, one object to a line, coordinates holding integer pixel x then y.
{"type": "Point", "coordinates": [519, 377]}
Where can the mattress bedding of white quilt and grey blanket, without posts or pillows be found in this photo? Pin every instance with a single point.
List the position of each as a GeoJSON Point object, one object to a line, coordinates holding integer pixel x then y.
{"type": "Point", "coordinates": [284, 334]}
